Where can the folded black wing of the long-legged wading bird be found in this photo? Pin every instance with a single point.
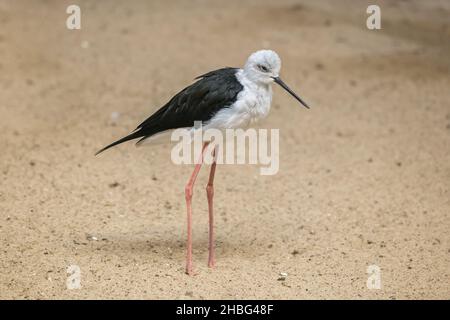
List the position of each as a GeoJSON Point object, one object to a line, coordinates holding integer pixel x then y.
{"type": "Point", "coordinates": [200, 101]}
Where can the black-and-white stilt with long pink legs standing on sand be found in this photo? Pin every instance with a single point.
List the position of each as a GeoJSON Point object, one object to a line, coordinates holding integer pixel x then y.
{"type": "Point", "coordinates": [226, 98]}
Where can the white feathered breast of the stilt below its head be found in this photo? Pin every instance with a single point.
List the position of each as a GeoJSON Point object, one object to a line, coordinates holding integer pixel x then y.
{"type": "Point", "coordinates": [252, 104]}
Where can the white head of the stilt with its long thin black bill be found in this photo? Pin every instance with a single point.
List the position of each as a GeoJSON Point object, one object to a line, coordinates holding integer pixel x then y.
{"type": "Point", "coordinates": [263, 67]}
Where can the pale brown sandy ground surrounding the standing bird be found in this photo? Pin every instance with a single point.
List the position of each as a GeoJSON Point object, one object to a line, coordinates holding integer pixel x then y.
{"type": "Point", "coordinates": [364, 175]}
